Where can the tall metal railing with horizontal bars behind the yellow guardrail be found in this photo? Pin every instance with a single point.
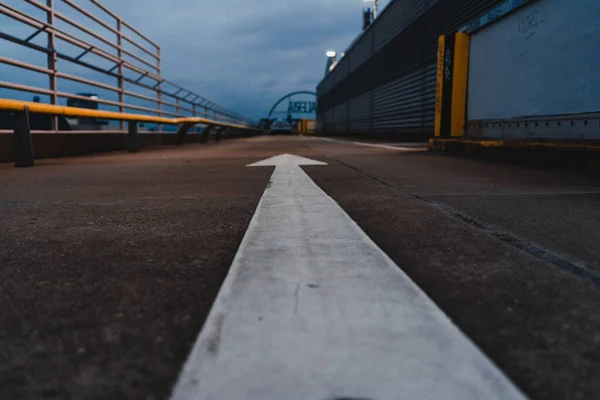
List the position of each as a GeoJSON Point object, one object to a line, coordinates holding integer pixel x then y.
{"type": "Point", "coordinates": [105, 54]}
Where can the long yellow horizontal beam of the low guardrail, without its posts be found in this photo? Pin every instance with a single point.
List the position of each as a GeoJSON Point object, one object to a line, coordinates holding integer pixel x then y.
{"type": "Point", "coordinates": [40, 108]}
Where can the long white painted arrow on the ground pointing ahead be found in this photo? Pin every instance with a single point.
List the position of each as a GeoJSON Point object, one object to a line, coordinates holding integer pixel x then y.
{"type": "Point", "coordinates": [312, 309]}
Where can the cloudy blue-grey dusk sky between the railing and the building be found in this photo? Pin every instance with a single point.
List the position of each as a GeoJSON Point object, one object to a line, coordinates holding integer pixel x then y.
{"type": "Point", "coordinates": [242, 54]}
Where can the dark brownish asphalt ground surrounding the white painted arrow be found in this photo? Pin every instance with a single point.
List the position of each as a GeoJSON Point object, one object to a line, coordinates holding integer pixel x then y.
{"type": "Point", "coordinates": [109, 264]}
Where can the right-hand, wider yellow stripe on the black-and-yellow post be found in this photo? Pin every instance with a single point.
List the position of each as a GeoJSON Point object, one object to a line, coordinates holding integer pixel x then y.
{"type": "Point", "coordinates": [459, 84]}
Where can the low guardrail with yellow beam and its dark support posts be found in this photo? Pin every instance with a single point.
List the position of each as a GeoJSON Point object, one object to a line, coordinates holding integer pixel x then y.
{"type": "Point", "coordinates": [22, 143]}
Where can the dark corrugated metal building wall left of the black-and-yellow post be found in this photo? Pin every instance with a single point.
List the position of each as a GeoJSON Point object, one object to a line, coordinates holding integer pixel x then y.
{"type": "Point", "coordinates": [400, 77]}
